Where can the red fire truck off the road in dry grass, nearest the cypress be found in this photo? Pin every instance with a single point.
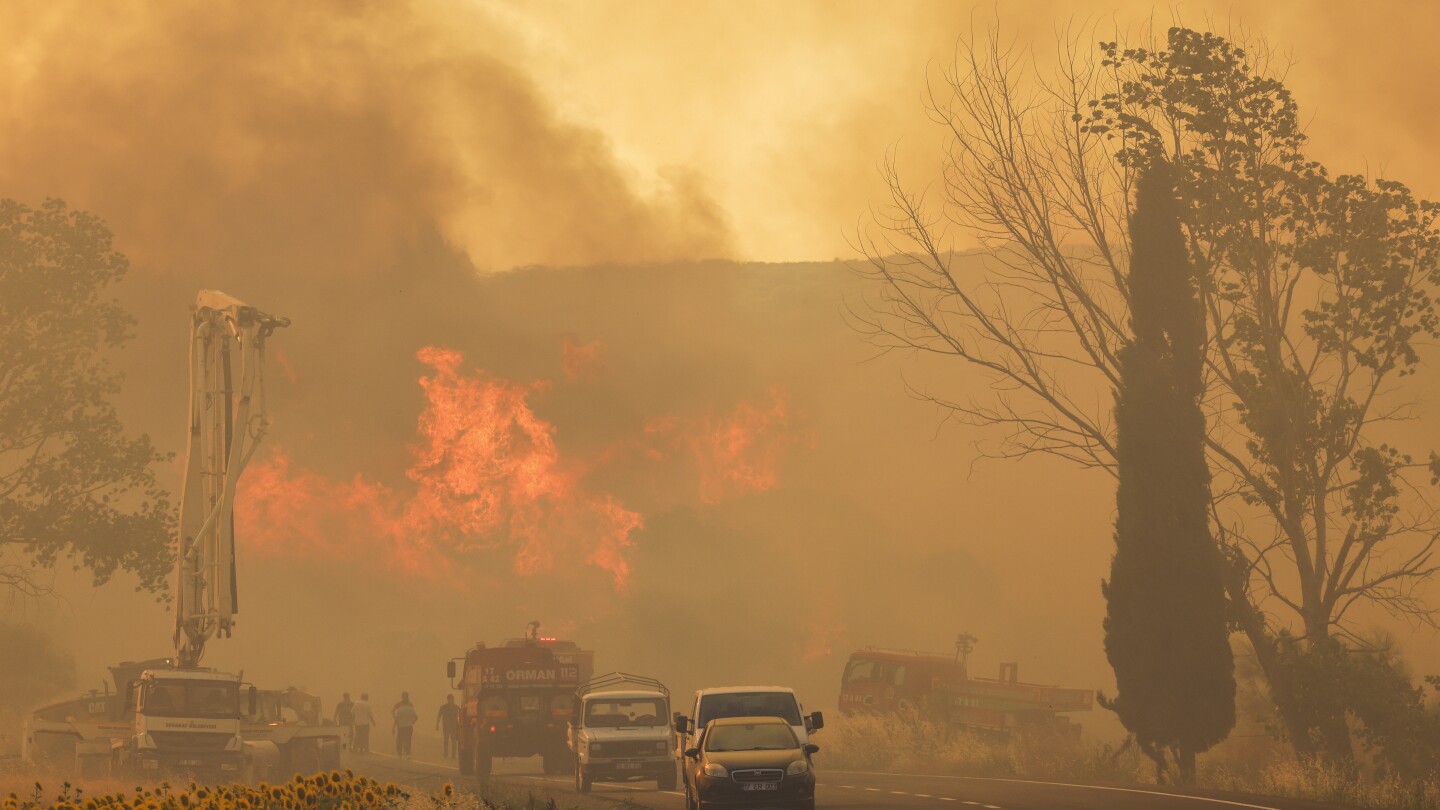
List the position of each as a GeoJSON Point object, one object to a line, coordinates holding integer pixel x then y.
{"type": "Point", "coordinates": [940, 688]}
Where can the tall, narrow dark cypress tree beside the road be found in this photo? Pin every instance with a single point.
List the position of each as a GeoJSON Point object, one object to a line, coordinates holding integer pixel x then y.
{"type": "Point", "coordinates": [1166, 628]}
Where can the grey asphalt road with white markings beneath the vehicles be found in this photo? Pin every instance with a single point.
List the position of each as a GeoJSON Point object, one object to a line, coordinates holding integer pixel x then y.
{"type": "Point", "coordinates": [839, 791]}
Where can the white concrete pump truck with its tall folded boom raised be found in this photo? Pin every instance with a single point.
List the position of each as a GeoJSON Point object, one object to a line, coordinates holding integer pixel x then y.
{"type": "Point", "coordinates": [188, 718]}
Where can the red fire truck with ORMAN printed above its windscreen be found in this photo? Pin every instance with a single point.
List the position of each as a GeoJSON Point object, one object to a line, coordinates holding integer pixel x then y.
{"type": "Point", "coordinates": [516, 701]}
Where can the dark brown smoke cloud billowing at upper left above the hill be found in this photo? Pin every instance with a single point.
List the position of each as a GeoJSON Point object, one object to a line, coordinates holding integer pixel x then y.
{"type": "Point", "coordinates": [307, 139]}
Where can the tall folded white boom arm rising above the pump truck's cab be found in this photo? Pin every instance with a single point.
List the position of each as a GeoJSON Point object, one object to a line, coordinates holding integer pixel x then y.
{"type": "Point", "coordinates": [227, 423]}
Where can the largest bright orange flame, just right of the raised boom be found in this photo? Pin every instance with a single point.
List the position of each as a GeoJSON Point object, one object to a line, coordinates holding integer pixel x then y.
{"type": "Point", "coordinates": [486, 472]}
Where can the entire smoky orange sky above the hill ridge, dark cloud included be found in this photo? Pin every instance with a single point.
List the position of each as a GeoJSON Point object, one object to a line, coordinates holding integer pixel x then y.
{"type": "Point", "coordinates": [584, 132]}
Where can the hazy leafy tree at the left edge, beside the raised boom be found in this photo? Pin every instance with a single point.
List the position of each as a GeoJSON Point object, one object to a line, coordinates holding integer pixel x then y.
{"type": "Point", "coordinates": [73, 484]}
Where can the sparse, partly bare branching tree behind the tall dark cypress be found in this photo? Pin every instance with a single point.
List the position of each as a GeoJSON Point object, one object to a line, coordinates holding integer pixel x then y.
{"type": "Point", "coordinates": [1317, 292]}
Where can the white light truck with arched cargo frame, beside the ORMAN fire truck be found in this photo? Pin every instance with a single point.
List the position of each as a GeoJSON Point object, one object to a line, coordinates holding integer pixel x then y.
{"type": "Point", "coordinates": [623, 734]}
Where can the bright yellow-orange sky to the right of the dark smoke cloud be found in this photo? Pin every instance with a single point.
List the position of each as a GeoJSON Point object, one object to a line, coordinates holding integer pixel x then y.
{"type": "Point", "coordinates": [784, 110]}
